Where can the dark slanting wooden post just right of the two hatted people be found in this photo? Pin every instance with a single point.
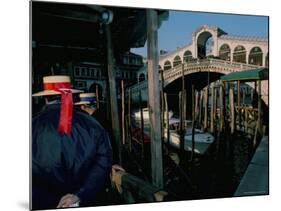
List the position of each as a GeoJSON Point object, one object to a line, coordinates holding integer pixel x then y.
{"type": "Point", "coordinates": [112, 93]}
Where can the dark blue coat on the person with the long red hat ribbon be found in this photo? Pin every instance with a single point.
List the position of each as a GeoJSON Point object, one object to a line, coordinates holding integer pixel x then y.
{"type": "Point", "coordinates": [78, 163]}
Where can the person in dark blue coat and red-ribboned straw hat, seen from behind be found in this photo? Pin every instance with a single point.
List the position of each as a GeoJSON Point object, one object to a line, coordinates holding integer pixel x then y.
{"type": "Point", "coordinates": [71, 152]}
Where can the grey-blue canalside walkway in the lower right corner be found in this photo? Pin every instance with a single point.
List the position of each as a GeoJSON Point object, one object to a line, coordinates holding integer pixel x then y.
{"type": "Point", "coordinates": [255, 180]}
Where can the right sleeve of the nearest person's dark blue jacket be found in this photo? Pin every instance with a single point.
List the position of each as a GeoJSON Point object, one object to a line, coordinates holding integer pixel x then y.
{"type": "Point", "coordinates": [100, 170]}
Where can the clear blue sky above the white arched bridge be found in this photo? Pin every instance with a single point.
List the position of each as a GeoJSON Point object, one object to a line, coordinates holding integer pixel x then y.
{"type": "Point", "coordinates": [177, 30]}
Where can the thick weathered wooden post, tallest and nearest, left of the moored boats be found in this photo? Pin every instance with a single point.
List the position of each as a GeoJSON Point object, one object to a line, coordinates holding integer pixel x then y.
{"type": "Point", "coordinates": [154, 99]}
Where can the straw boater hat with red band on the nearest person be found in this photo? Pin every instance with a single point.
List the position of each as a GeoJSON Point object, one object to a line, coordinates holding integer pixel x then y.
{"type": "Point", "coordinates": [53, 85]}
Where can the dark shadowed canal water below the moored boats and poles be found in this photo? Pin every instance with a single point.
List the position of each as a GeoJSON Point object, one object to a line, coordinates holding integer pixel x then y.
{"type": "Point", "coordinates": [215, 174]}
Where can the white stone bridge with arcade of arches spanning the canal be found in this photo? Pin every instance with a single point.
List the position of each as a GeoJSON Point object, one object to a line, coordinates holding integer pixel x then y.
{"type": "Point", "coordinates": [211, 54]}
